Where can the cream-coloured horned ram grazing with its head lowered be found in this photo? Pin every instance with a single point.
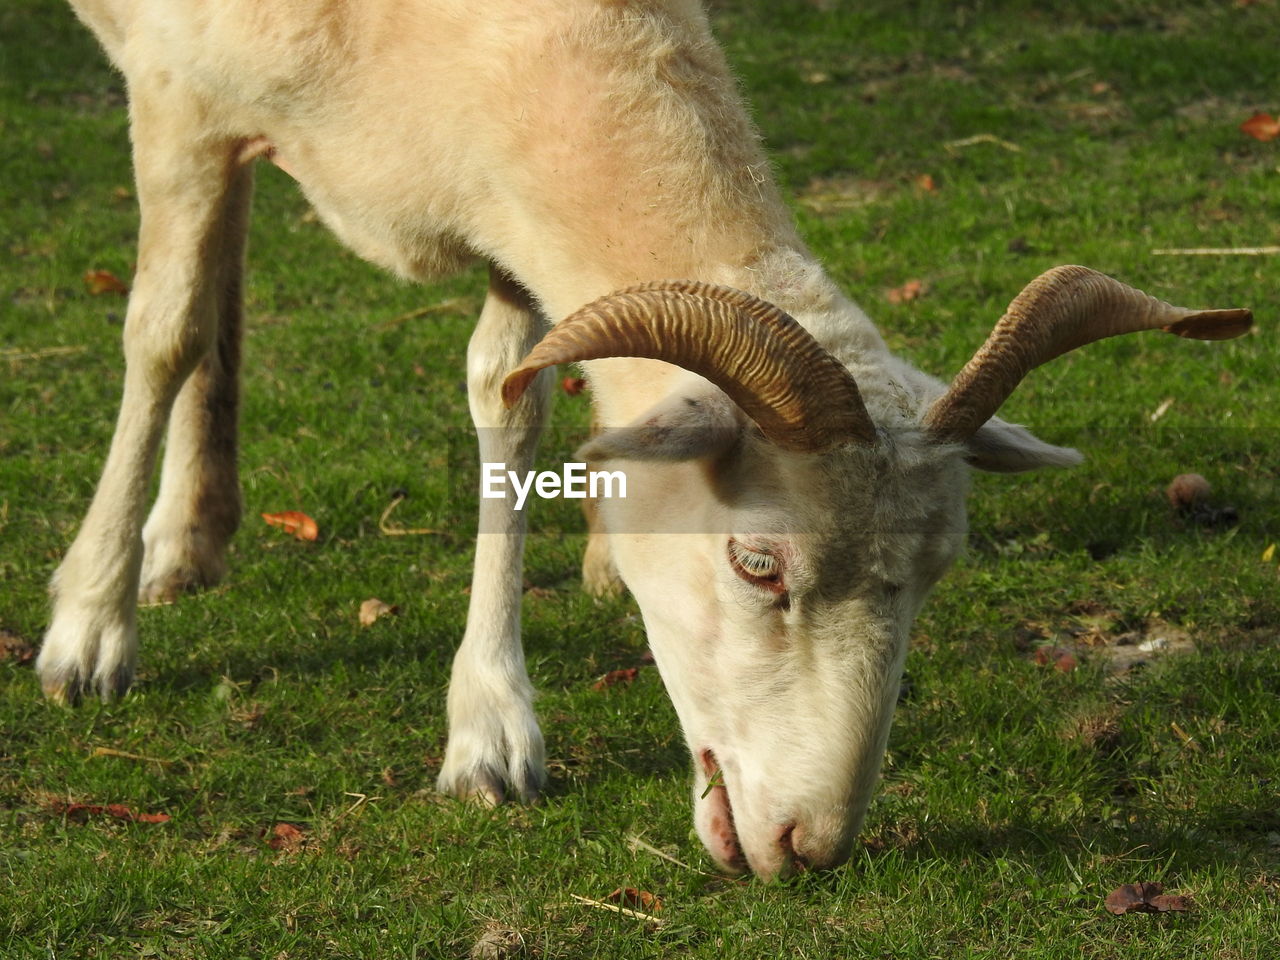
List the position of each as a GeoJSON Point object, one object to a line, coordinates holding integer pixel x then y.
{"type": "Point", "coordinates": [580, 148]}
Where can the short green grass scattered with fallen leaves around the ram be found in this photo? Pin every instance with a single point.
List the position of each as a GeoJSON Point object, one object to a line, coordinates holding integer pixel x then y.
{"type": "Point", "coordinates": [962, 147]}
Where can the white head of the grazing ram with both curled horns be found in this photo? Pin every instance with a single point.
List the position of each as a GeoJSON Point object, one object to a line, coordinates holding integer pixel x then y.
{"type": "Point", "coordinates": [780, 542]}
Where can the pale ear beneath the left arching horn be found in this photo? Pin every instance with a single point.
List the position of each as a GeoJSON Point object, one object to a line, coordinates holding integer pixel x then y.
{"type": "Point", "coordinates": [680, 428]}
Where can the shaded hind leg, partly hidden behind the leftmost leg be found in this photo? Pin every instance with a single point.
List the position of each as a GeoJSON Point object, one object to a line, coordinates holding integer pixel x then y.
{"type": "Point", "coordinates": [199, 506]}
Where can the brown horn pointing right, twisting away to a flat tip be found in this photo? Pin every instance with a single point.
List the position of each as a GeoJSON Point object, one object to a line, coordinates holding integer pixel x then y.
{"type": "Point", "coordinates": [1060, 310]}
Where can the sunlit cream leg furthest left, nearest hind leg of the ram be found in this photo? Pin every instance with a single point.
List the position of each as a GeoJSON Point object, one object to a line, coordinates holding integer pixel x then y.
{"type": "Point", "coordinates": [186, 182]}
